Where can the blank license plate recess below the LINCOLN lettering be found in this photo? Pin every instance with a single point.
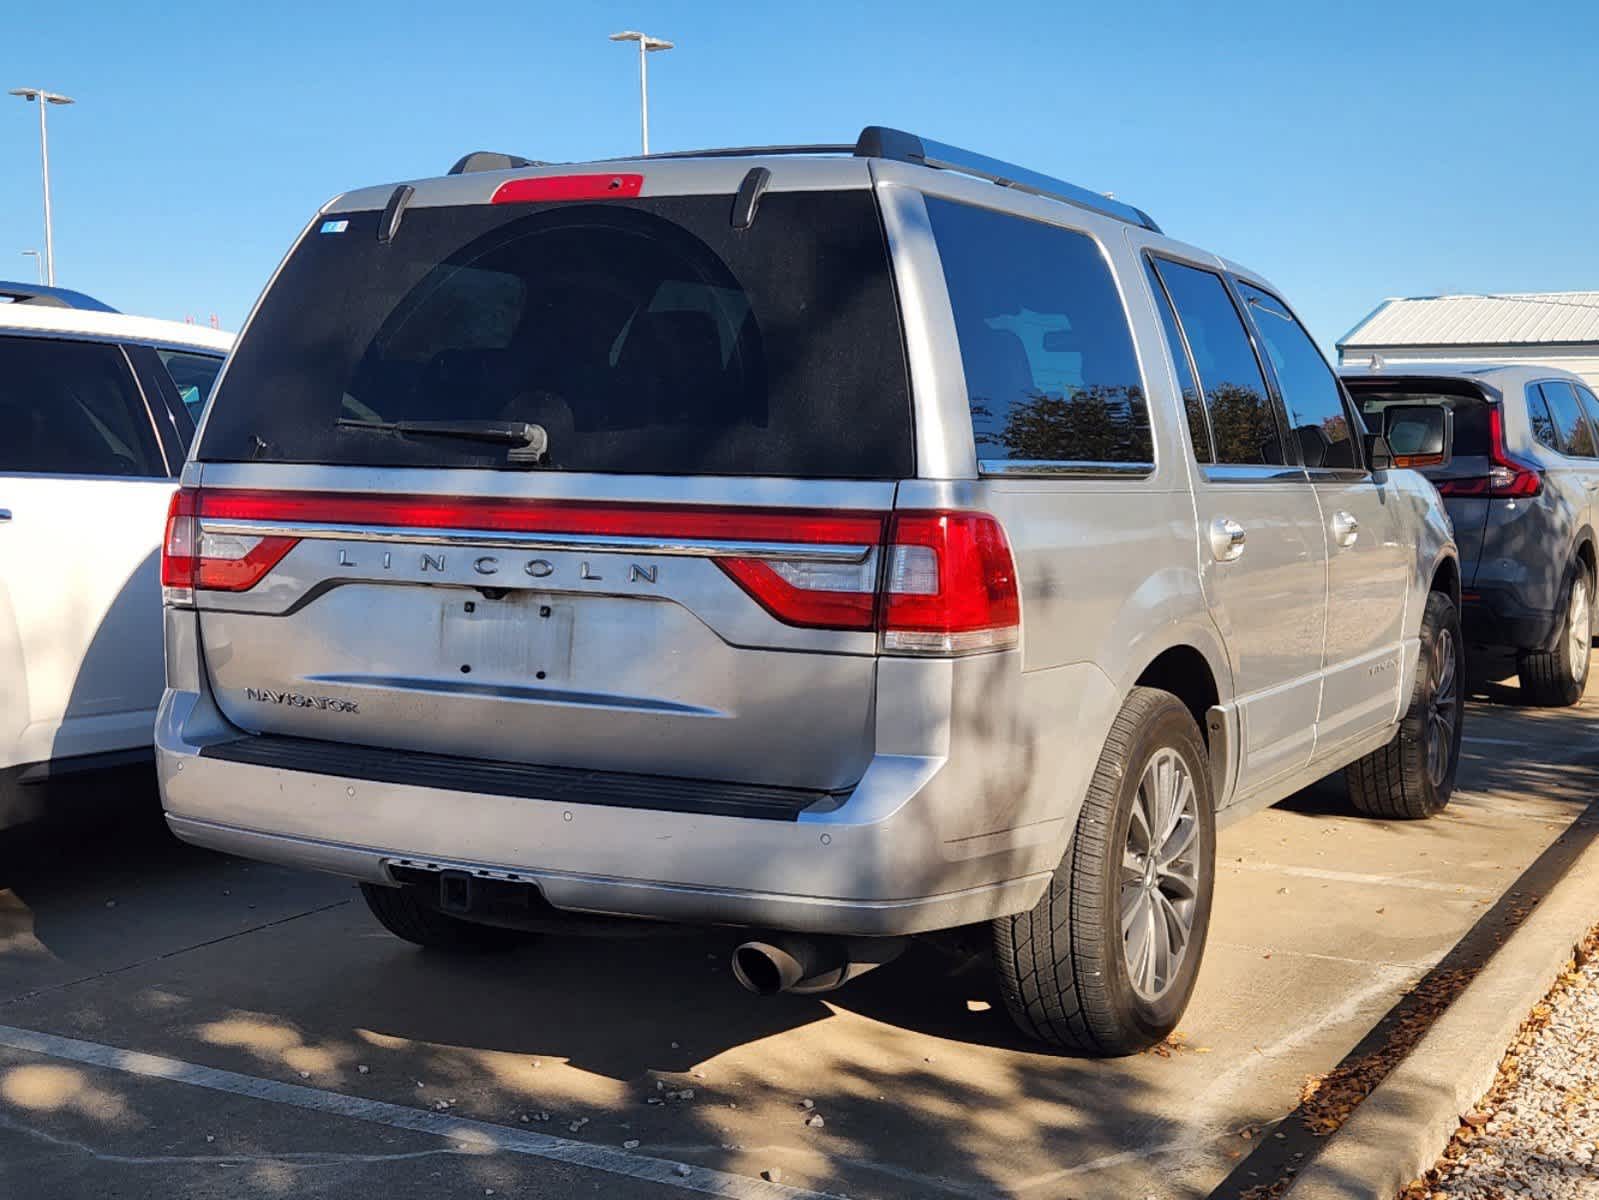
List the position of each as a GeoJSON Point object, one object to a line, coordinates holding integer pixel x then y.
{"type": "Point", "coordinates": [517, 639]}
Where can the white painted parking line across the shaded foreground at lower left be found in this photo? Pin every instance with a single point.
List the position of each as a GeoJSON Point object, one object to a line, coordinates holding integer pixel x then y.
{"type": "Point", "coordinates": [471, 1135]}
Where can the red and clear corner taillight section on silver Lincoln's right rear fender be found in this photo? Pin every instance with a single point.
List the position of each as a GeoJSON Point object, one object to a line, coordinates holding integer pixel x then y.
{"type": "Point", "coordinates": [949, 585]}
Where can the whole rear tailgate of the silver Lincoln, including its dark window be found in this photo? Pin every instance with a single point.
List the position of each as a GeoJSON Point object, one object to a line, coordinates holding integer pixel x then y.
{"type": "Point", "coordinates": [684, 586]}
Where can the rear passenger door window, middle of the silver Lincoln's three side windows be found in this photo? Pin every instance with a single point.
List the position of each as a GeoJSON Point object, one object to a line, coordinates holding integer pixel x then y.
{"type": "Point", "coordinates": [1243, 423]}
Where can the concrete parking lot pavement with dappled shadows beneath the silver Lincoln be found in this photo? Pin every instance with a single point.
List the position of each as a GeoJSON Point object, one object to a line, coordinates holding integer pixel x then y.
{"type": "Point", "coordinates": [181, 1025]}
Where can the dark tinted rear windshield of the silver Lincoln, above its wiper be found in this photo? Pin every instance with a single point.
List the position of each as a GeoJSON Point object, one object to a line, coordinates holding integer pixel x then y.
{"type": "Point", "coordinates": [645, 337]}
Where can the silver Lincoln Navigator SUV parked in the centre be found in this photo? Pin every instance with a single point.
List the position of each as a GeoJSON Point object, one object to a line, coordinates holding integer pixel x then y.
{"type": "Point", "coordinates": [842, 543]}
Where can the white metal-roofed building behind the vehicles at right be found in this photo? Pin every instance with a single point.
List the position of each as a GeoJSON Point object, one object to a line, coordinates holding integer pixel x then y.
{"type": "Point", "coordinates": [1553, 329]}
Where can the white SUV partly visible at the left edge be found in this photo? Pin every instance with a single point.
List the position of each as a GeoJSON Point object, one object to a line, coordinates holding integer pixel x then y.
{"type": "Point", "coordinates": [97, 414]}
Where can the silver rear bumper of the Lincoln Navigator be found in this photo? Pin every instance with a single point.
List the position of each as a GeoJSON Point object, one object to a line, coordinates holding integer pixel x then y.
{"type": "Point", "coordinates": [879, 863]}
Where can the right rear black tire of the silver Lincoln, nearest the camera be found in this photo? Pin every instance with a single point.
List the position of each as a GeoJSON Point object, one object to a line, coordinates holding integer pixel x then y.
{"type": "Point", "coordinates": [1064, 967]}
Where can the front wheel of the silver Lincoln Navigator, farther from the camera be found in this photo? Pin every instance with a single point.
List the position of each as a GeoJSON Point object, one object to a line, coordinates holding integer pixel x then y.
{"type": "Point", "coordinates": [1403, 782]}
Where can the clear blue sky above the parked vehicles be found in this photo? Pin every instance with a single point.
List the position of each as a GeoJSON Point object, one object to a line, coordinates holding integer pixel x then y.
{"type": "Point", "coordinates": [1347, 151]}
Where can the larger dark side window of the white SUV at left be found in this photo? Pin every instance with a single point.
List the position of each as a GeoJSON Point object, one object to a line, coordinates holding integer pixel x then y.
{"type": "Point", "coordinates": [73, 409]}
